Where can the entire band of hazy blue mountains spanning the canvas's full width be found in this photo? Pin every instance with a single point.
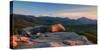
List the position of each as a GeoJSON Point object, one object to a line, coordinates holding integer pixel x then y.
{"type": "Point", "coordinates": [48, 20]}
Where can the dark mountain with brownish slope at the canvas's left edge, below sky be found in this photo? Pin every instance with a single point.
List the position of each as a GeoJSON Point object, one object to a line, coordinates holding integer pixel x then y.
{"type": "Point", "coordinates": [24, 20]}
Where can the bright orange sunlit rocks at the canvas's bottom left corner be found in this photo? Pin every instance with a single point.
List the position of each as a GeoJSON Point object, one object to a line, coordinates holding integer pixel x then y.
{"type": "Point", "coordinates": [16, 41]}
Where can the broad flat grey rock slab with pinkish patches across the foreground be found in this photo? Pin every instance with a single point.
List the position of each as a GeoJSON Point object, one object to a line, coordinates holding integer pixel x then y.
{"type": "Point", "coordinates": [57, 39]}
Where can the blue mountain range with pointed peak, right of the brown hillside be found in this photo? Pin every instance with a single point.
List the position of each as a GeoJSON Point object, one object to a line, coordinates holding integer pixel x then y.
{"type": "Point", "coordinates": [67, 21]}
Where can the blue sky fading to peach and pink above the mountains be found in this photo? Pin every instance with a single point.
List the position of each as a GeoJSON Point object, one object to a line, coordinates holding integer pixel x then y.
{"type": "Point", "coordinates": [54, 9]}
